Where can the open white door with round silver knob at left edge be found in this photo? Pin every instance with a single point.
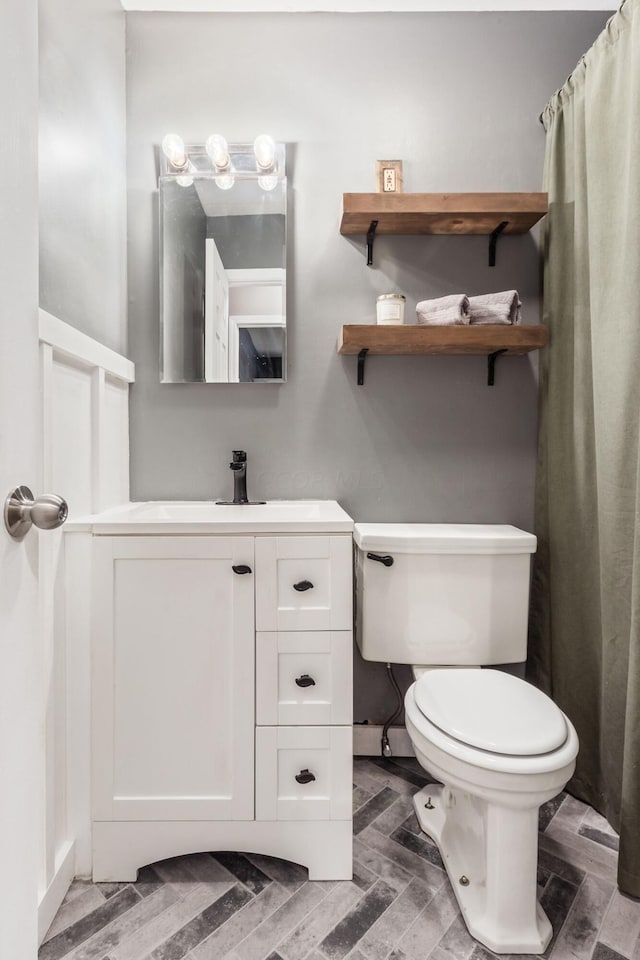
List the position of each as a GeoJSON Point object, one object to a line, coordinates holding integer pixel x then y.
{"type": "Point", "coordinates": [21, 746]}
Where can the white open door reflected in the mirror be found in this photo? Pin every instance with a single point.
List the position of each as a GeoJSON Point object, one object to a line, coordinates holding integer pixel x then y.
{"type": "Point", "coordinates": [216, 317]}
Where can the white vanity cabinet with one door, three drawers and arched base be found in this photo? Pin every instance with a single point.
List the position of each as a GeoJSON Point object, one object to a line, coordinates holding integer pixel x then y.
{"type": "Point", "coordinates": [221, 696]}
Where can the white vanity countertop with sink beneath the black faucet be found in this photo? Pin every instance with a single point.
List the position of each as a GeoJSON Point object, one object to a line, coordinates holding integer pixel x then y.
{"type": "Point", "coordinates": [206, 517]}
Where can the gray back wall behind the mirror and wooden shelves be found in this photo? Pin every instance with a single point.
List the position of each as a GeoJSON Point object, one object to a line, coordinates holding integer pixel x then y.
{"type": "Point", "coordinates": [456, 97]}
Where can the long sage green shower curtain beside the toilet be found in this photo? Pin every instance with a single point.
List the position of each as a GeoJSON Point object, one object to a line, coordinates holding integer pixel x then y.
{"type": "Point", "coordinates": [585, 643]}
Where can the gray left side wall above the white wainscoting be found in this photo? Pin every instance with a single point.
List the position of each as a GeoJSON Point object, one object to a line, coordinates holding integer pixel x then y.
{"type": "Point", "coordinates": [83, 166]}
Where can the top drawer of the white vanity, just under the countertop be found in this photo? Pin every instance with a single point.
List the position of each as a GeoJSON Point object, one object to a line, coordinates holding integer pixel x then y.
{"type": "Point", "coordinates": [304, 583]}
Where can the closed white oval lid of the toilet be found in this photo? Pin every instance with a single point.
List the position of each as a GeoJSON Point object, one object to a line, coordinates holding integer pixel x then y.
{"type": "Point", "coordinates": [491, 710]}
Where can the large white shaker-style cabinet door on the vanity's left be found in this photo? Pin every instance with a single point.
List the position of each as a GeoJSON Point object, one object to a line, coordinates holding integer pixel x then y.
{"type": "Point", "coordinates": [173, 678]}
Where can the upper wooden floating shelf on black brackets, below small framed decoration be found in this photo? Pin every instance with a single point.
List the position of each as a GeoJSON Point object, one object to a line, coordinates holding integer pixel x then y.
{"type": "Point", "coordinates": [441, 213]}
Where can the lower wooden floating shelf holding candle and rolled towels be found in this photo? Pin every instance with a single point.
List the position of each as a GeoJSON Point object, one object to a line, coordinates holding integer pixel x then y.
{"type": "Point", "coordinates": [488, 340]}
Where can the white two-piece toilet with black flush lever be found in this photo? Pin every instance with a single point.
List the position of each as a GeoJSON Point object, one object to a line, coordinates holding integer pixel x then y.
{"type": "Point", "coordinates": [449, 598]}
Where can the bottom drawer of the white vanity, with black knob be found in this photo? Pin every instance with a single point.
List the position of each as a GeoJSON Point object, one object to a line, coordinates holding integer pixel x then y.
{"type": "Point", "coordinates": [303, 773]}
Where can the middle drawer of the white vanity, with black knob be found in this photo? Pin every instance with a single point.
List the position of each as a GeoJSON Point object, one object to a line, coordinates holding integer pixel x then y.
{"type": "Point", "coordinates": [304, 678]}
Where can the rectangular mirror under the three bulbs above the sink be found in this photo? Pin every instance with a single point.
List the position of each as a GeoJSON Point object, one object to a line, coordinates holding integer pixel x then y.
{"type": "Point", "coordinates": [222, 275]}
